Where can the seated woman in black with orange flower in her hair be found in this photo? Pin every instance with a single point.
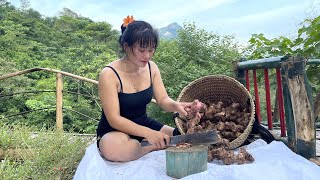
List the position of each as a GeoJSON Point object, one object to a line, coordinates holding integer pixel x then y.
{"type": "Point", "coordinates": [126, 86]}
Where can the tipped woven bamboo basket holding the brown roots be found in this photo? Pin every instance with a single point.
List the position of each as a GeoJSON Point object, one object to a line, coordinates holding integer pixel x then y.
{"type": "Point", "coordinates": [214, 88]}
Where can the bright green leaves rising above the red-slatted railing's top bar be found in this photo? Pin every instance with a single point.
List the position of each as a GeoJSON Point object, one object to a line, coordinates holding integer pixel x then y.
{"type": "Point", "coordinates": [307, 43]}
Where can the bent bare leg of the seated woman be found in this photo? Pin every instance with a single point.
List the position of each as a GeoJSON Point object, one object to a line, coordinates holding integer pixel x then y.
{"type": "Point", "coordinates": [118, 146]}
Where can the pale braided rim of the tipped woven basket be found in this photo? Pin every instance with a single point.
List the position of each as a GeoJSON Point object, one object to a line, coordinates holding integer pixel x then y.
{"type": "Point", "coordinates": [239, 140]}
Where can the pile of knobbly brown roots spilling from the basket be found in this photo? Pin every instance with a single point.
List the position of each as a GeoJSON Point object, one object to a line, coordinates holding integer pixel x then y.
{"type": "Point", "coordinates": [229, 119]}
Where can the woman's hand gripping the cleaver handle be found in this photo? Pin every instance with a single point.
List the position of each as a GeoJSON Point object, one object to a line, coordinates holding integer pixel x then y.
{"type": "Point", "coordinates": [158, 139]}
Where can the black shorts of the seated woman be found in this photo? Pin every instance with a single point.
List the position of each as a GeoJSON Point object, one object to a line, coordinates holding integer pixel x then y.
{"type": "Point", "coordinates": [148, 122]}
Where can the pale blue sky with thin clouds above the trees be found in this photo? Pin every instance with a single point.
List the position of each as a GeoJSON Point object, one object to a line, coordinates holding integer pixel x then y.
{"type": "Point", "coordinates": [240, 18]}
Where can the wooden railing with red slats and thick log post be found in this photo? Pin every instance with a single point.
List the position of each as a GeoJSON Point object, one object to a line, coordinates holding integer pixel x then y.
{"type": "Point", "coordinates": [294, 98]}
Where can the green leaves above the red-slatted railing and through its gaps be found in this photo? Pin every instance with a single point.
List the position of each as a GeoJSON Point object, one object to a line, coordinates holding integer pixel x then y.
{"type": "Point", "coordinates": [307, 43]}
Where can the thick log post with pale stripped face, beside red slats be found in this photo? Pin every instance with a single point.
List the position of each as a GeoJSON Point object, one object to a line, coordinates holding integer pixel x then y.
{"type": "Point", "coordinates": [300, 119]}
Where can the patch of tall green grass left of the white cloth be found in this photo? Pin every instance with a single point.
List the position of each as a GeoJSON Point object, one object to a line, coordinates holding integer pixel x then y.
{"type": "Point", "coordinates": [48, 154]}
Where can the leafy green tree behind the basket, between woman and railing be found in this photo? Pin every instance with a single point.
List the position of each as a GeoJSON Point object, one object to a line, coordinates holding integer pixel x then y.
{"type": "Point", "coordinates": [195, 53]}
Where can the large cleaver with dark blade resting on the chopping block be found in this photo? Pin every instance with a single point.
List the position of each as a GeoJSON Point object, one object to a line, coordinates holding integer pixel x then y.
{"type": "Point", "coordinates": [203, 138]}
